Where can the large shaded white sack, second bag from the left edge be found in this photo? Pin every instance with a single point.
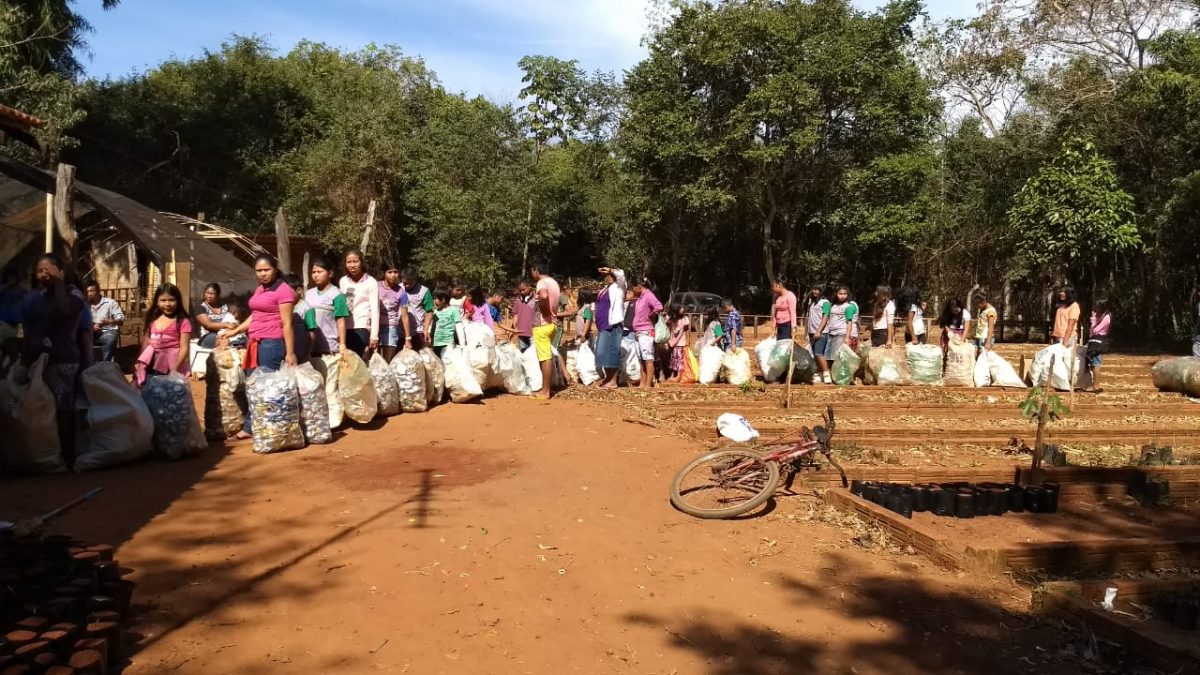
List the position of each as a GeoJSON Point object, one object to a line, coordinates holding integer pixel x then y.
{"type": "Point", "coordinates": [119, 423]}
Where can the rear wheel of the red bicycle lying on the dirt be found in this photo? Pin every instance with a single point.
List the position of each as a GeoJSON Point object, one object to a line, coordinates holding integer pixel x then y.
{"type": "Point", "coordinates": [724, 485]}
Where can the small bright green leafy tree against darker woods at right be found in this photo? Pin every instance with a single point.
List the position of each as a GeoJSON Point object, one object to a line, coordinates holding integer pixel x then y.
{"type": "Point", "coordinates": [1073, 212]}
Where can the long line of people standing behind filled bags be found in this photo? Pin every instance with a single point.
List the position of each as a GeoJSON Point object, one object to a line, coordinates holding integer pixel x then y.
{"type": "Point", "coordinates": [344, 307]}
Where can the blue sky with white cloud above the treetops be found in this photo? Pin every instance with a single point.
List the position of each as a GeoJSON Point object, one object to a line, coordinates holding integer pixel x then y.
{"type": "Point", "coordinates": [472, 45]}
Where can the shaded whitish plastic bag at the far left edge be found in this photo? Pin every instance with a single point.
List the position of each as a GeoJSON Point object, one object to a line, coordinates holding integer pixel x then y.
{"type": "Point", "coordinates": [32, 443]}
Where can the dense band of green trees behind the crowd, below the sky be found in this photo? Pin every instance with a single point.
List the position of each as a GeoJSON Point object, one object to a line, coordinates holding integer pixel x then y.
{"type": "Point", "coordinates": [805, 139]}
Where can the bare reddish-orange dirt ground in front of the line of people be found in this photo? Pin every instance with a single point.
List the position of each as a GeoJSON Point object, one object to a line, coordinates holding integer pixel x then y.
{"type": "Point", "coordinates": [517, 537]}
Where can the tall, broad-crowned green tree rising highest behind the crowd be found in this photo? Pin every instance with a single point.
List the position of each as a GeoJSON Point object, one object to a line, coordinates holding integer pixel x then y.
{"type": "Point", "coordinates": [759, 110]}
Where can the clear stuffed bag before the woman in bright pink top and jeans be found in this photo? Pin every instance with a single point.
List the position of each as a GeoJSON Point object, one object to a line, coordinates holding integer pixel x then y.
{"type": "Point", "coordinates": [274, 410]}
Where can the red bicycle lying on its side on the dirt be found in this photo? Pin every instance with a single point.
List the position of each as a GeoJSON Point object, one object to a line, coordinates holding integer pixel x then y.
{"type": "Point", "coordinates": [733, 482]}
